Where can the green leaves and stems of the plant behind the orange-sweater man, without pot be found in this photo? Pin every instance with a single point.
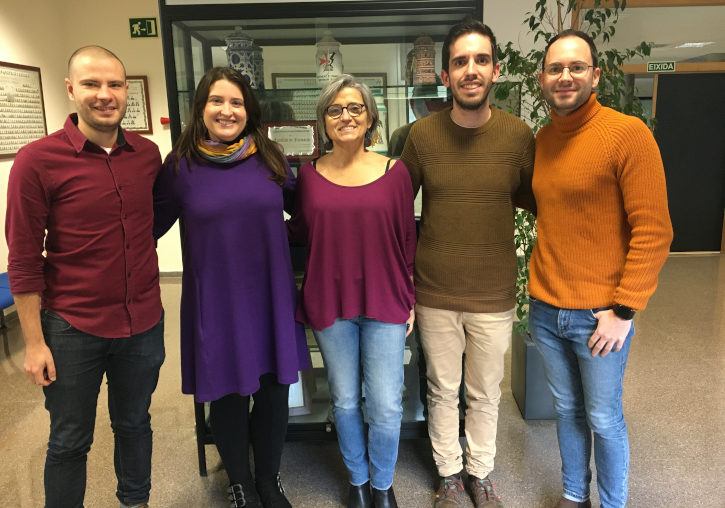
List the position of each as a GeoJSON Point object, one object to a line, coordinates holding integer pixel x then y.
{"type": "Point", "coordinates": [520, 71]}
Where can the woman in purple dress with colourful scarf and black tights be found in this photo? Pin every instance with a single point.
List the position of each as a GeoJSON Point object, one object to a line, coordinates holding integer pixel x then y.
{"type": "Point", "coordinates": [229, 183]}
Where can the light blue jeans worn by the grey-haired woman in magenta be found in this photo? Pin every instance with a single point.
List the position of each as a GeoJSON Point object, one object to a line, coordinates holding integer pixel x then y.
{"type": "Point", "coordinates": [348, 346]}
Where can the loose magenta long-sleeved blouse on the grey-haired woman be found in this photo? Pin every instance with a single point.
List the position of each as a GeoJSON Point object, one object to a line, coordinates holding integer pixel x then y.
{"type": "Point", "coordinates": [361, 247]}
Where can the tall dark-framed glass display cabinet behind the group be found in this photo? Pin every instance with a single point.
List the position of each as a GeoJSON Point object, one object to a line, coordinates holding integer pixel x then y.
{"type": "Point", "coordinates": [376, 40]}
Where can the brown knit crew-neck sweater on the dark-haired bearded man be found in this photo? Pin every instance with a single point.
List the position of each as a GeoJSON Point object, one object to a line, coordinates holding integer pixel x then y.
{"type": "Point", "coordinates": [471, 180]}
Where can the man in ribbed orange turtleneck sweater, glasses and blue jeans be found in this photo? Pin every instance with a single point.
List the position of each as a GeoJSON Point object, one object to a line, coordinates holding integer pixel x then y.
{"type": "Point", "coordinates": [603, 234]}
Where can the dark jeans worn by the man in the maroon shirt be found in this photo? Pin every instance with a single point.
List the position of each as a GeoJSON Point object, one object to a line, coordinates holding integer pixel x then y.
{"type": "Point", "coordinates": [131, 365]}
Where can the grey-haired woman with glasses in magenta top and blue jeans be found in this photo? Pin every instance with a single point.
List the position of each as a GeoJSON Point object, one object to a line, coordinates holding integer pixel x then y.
{"type": "Point", "coordinates": [355, 213]}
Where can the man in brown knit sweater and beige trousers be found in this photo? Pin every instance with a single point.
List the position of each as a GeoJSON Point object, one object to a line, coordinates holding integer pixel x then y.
{"type": "Point", "coordinates": [474, 164]}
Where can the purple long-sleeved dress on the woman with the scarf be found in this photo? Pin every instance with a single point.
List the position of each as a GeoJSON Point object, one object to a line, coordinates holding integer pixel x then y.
{"type": "Point", "coordinates": [238, 294]}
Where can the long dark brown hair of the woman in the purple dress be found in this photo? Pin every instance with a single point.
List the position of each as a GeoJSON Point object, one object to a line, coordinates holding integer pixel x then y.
{"type": "Point", "coordinates": [196, 131]}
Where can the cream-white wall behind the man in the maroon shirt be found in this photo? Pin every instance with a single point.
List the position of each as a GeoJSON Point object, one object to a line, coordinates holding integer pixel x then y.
{"type": "Point", "coordinates": [43, 33]}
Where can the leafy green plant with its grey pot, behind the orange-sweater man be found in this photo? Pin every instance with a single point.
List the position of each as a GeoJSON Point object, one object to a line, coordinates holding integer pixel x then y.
{"type": "Point", "coordinates": [520, 72]}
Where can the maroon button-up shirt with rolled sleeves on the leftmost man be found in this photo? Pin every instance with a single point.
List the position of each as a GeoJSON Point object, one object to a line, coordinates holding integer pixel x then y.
{"type": "Point", "coordinates": [99, 270]}
